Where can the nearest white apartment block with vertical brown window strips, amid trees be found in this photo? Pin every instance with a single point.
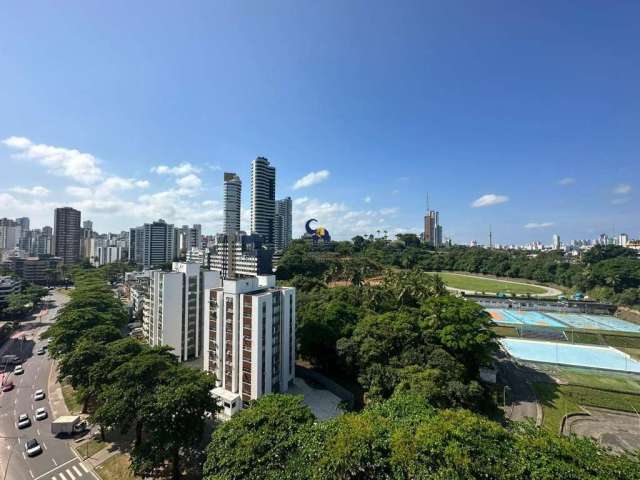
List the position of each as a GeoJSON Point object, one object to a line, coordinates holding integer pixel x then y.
{"type": "Point", "coordinates": [249, 339]}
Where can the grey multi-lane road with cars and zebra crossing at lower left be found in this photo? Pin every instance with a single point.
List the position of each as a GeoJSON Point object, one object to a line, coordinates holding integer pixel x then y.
{"type": "Point", "coordinates": [57, 461]}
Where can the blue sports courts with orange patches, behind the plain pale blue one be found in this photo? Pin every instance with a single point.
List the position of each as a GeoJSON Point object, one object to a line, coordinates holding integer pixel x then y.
{"type": "Point", "coordinates": [562, 320]}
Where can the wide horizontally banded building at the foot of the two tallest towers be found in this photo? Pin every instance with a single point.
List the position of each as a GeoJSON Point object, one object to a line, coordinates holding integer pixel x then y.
{"type": "Point", "coordinates": [239, 255]}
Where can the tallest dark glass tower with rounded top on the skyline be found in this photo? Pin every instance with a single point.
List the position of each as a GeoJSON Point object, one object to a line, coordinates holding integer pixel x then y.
{"type": "Point", "coordinates": [263, 199]}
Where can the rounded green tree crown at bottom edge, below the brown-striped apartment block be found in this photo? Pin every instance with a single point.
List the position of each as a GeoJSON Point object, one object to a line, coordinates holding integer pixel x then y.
{"type": "Point", "coordinates": [257, 442]}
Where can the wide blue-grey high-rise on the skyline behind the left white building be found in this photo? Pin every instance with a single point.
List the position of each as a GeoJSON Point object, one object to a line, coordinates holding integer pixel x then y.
{"type": "Point", "coordinates": [152, 244]}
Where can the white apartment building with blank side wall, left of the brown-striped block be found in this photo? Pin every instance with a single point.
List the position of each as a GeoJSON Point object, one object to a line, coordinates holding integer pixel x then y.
{"type": "Point", "coordinates": [173, 309]}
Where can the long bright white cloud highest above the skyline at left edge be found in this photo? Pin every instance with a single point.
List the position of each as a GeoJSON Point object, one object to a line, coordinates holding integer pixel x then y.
{"type": "Point", "coordinates": [60, 161]}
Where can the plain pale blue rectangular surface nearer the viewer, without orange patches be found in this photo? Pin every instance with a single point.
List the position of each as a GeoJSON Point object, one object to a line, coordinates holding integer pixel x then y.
{"type": "Point", "coordinates": [606, 358]}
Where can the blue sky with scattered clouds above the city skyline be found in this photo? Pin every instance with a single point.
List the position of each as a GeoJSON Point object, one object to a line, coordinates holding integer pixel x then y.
{"type": "Point", "coordinates": [531, 108]}
